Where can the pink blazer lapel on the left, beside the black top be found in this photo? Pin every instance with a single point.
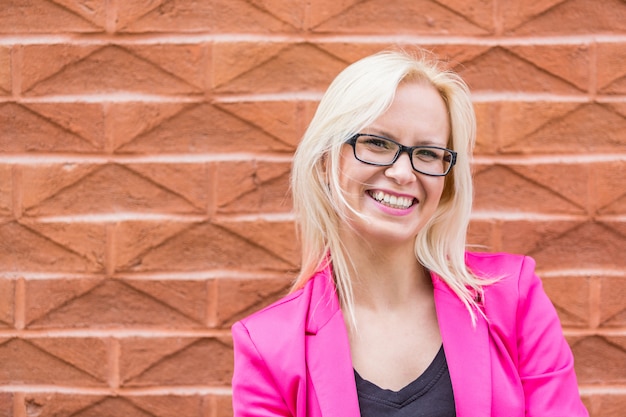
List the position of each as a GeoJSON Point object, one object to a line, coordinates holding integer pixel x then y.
{"type": "Point", "coordinates": [328, 358]}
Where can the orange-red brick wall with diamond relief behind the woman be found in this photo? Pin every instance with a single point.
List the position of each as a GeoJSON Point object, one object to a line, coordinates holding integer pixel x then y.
{"type": "Point", "coordinates": [144, 160]}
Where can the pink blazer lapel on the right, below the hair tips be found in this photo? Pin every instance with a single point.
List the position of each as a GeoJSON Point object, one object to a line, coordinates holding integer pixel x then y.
{"type": "Point", "coordinates": [467, 353]}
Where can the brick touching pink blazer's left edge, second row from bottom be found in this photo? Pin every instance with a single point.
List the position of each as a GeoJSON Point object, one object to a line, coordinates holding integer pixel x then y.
{"type": "Point", "coordinates": [175, 362]}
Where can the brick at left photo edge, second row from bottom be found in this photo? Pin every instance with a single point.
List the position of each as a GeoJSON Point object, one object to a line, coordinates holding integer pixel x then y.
{"type": "Point", "coordinates": [27, 362]}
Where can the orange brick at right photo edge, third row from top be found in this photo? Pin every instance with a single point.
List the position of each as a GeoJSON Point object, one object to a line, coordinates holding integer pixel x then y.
{"type": "Point", "coordinates": [554, 127]}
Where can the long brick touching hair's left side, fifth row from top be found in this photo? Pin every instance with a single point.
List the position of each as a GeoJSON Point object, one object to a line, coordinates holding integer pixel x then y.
{"type": "Point", "coordinates": [146, 246]}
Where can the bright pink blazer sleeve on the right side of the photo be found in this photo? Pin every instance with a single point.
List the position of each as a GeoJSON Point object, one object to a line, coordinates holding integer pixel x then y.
{"type": "Point", "coordinates": [545, 360]}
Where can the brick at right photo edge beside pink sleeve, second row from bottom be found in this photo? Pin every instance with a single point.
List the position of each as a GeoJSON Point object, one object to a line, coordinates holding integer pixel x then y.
{"type": "Point", "coordinates": [593, 353]}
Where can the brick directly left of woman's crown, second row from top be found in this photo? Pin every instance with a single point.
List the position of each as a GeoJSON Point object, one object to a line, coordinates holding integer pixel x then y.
{"type": "Point", "coordinates": [244, 68]}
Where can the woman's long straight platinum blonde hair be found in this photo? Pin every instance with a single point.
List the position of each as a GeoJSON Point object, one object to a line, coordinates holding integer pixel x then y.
{"type": "Point", "coordinates": [355, 99]}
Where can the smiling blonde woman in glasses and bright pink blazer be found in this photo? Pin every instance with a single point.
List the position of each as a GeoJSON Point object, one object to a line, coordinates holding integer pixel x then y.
{"type": "Point", "coordinates": [389, 315]}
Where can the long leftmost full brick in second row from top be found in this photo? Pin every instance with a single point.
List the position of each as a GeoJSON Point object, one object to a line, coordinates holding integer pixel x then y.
{"type": "Point", "coordinates": [106, 69]}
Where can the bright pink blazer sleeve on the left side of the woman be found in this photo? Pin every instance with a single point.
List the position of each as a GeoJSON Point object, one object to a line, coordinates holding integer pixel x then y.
{"type": "Point", "coordinates": [255, 392]}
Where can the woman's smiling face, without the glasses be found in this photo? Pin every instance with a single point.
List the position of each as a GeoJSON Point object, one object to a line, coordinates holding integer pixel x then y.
{"type": "Point", "coordinates": [395, 200]}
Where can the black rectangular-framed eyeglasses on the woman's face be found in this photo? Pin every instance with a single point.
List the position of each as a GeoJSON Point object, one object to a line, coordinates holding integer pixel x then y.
{"type": "Point", "coordinates": [382, 151]}
